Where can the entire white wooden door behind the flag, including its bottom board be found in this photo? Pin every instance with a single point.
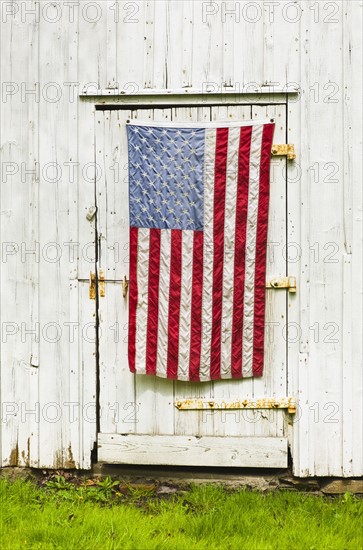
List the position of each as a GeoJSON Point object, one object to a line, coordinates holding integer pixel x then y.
{"type": "Point", "coordinates": [139, 422]}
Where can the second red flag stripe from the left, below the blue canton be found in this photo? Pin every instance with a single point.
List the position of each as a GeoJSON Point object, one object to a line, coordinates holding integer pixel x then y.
{"type": "Point", "coordinates": [153, 301]}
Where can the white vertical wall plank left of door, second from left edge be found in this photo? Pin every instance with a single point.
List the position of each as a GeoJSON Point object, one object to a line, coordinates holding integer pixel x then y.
{"type": "Point", "coordinates": [57, 55]}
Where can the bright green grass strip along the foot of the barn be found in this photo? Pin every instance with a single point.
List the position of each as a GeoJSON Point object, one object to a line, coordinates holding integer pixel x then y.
{"type": "Point", "coordinates": [64, 516]}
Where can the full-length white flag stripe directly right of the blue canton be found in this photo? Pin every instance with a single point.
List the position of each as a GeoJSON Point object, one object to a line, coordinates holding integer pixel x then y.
{"type": "Point", "coordinates": [210, 151]}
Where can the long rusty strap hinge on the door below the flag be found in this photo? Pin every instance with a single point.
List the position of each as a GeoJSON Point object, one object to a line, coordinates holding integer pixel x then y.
{"type": "Point", "coordinates": [288, 403]}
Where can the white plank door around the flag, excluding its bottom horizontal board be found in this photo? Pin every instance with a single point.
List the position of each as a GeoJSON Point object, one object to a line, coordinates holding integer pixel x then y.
{"type": "Point", "coordinates": [143, 404]}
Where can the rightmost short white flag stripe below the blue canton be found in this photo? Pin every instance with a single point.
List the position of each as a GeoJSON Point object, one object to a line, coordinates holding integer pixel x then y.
{"type": "Point", "coordinates": [185, 299]}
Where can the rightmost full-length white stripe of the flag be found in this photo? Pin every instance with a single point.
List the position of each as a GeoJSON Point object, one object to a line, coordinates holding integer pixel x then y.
{"type": "Point", "coordinates": [249, 291]}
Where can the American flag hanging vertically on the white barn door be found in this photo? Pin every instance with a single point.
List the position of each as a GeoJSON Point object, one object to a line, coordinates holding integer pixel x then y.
{"type": "Point", "coordinates": [199, 197]}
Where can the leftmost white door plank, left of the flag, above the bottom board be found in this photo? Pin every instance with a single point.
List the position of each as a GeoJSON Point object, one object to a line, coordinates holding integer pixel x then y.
{"type": "Point", "coordinates": [117, 383]}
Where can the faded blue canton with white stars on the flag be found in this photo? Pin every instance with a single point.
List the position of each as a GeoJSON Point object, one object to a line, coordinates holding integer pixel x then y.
{"type": "Point", "coordinates": [166, 177]}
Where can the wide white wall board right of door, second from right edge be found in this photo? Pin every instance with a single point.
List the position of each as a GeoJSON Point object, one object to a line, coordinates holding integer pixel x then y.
{"type": "Point", "coordinates": [321, 218]}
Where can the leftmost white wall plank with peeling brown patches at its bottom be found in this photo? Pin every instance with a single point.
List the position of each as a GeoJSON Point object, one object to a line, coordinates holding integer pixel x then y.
{"type": "Point", "coordinates": [19, 222]}
